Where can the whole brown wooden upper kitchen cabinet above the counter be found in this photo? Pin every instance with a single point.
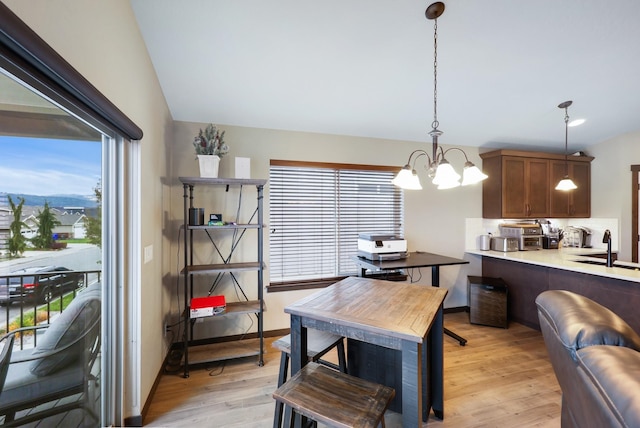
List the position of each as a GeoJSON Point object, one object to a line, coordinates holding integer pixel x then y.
{"type": "Point", "coordinates": [522, 184]}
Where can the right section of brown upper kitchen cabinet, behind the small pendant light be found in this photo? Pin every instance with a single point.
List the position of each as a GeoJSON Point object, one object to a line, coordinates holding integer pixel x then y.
{"type": "Point", "coordinates": [574, 203]}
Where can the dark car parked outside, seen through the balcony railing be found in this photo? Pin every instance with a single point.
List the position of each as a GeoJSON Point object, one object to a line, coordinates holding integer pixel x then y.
{"type": "Point", "coordinates": [38, 284]}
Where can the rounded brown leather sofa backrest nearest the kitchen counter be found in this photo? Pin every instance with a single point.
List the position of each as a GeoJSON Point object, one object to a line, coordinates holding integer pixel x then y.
{"type": "Point", "coordinates": [580, 322]}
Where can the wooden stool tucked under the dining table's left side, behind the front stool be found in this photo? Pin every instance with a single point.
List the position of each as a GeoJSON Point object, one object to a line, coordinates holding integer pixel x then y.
{"type": "Point", "coordinates": [318, 344]}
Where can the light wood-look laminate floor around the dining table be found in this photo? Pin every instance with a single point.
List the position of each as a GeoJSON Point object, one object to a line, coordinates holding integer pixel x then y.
{"type": "Point", "coordinates": [501, 378]}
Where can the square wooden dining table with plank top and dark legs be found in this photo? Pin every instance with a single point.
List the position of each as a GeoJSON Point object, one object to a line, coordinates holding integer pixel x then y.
{"type": "Point", "coordinates": [399, 316]}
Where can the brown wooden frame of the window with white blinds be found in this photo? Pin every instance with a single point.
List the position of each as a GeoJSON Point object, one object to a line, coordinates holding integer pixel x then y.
{"type": "Point", "coordinates": [302, 284]}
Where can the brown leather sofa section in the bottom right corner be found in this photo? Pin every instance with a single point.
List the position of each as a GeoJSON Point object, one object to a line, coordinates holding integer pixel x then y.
{"type": "Point", "coordinates": [611, 375]}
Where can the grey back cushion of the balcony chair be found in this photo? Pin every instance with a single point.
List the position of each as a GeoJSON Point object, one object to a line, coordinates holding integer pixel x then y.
{"type": "Point", "coordinates": [74, 322]}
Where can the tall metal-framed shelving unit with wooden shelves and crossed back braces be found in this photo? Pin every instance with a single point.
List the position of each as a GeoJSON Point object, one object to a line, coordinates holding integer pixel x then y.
{"type": "Point", "coordinates": [227, 255]}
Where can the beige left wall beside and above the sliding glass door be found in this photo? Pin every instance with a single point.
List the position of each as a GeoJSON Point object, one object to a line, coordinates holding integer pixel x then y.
{"type": "Point", "coordinates": [102, 41]}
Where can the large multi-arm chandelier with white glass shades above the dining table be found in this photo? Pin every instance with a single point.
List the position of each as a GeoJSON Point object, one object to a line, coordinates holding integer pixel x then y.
{"type": "Point", "coordinates": [439, 169]}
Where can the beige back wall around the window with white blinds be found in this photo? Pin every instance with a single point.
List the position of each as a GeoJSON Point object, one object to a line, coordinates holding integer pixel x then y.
{"type": "Point", "coordinates": [435, 220]}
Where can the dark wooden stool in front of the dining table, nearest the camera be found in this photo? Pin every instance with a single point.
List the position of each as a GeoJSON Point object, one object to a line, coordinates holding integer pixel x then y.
{"type": "Point", "coordinates": [334, 398]}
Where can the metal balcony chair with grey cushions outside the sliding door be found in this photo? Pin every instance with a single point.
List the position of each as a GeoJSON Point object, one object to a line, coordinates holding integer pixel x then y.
{"type": "Point", "coordinates": [60, 366]}
